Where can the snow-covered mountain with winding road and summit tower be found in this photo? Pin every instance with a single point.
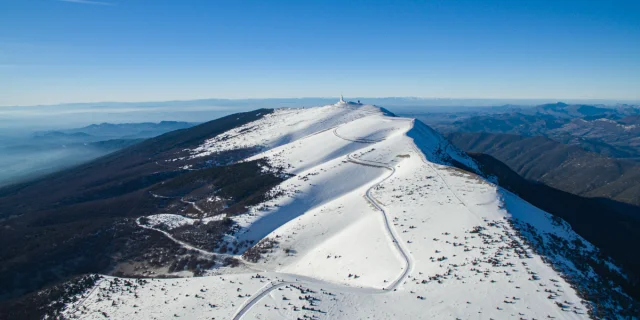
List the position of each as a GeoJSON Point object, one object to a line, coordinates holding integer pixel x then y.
{"type": "Point", "coordinates": [376, 219]}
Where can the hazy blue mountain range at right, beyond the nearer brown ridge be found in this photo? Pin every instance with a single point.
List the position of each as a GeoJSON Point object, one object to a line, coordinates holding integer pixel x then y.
{"type": "Point", "coordinates": [611, 131]}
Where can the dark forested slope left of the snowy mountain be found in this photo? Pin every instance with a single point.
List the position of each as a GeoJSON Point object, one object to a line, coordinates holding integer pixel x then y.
{"type": "Point", "coordinates": [82, 220]}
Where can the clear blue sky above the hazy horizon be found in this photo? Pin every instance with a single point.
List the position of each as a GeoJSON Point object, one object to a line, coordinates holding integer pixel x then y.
{"type": "Point", "coordinates": [54, 51]}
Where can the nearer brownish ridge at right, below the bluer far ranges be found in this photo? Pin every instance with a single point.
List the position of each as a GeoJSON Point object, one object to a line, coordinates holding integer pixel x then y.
{"type": "Point", "coordinates": [565, 167]}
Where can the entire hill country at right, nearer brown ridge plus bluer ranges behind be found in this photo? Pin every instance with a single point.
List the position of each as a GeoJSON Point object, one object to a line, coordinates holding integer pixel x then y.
{"type": "Point", "coordinates": [587, 150]}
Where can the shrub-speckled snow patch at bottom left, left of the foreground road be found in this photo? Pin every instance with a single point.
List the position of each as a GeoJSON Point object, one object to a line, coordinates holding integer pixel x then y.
{"type": "Point", "coordinates": [191, 298]}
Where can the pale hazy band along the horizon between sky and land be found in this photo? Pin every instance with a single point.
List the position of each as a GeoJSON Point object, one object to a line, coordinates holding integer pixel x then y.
{"type": "Point", "coordinates": [68, 115]}
